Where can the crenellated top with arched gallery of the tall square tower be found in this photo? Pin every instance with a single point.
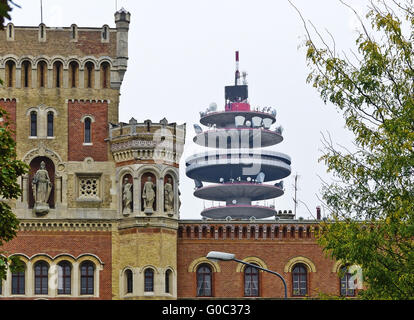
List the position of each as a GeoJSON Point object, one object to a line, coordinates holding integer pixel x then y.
{"type": "Point", "coordinates": [65, 57]}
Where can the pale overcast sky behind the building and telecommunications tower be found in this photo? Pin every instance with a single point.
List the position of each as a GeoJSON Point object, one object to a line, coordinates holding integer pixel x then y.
{"type": "Point", "coordinates": [181, 55]}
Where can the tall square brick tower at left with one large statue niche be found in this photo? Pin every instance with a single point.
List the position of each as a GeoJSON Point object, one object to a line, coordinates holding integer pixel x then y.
{"type": "Point", "coordinates": [61, 89]}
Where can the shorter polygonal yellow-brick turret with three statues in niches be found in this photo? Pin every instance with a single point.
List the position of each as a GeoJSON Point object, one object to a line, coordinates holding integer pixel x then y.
{"type": "Point", "coordinates": [146, 158]}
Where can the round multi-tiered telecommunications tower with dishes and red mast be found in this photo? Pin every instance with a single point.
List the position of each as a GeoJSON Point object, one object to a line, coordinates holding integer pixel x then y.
{"type": "Point", "coordinates": [236, 167]}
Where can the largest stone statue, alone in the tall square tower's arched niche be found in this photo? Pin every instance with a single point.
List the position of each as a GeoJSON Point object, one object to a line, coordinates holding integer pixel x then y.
{"type": "Point", "coordinates": [42, 187]}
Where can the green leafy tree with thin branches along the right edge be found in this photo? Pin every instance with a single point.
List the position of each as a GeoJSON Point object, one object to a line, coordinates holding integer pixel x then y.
{"type": "Point", "coordinates": [372, 204]}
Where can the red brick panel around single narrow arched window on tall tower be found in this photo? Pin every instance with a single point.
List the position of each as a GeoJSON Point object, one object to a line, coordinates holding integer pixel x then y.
{"type": "Point", "coordinates": [98, 112]}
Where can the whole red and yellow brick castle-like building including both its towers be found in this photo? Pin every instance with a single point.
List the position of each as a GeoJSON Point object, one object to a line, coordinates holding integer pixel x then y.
{"type": "Point", "coordinates": [109, 226]}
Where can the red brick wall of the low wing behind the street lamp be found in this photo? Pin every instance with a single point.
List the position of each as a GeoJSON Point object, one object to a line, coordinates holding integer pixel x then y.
{"type": "Point", "coordinates": [275, 252]}
